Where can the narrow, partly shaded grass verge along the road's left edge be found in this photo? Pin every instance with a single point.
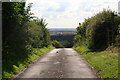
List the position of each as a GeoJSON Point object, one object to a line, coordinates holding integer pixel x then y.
{"type": "Point", "coordinates": [10, 70]}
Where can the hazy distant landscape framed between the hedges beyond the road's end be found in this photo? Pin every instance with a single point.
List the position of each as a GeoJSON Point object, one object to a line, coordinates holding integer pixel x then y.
{"type": "Point", "coordinates": [63, 35]}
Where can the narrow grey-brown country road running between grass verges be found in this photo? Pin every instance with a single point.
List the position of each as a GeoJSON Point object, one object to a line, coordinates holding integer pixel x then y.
{"type": "Point", "coordinates": [59, 63]}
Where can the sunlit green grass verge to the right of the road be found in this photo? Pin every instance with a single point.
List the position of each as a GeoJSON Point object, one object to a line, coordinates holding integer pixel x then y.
{"type": "Point", "coordinates": [106, 64]}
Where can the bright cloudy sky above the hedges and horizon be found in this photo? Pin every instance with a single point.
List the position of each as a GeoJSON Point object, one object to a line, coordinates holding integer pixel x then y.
{"type": "Point", "coordinates": [69, 13]}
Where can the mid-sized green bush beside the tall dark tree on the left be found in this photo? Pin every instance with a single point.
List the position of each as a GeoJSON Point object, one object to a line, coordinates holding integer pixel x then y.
{"type": "Point", "coordinates": [38, 34]}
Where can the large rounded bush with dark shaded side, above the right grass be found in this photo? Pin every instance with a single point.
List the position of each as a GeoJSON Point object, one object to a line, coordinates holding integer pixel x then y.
{"type": "Point", "coordinates": [98, 31]}
